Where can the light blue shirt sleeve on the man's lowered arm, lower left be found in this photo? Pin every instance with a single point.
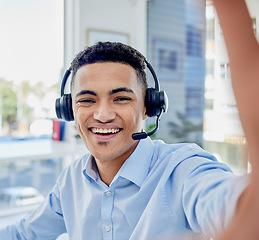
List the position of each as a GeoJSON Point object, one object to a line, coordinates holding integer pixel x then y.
{"type": "Point", "coordinates": [46, 222]}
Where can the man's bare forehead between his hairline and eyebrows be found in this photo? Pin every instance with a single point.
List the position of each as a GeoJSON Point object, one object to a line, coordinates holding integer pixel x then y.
{"type": "Point", "coordinates": [108, 74]}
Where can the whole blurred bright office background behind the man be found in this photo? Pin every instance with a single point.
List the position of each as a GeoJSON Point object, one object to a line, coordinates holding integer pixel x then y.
{"type": "Point", "coordinates": [183, 41]}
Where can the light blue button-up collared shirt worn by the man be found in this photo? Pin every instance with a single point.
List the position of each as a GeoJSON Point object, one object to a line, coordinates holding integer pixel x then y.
{"type": "Point", "coordinates": [162, 191]}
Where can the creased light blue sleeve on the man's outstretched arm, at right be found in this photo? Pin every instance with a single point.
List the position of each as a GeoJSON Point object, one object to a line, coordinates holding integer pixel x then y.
{"type": "Point", "coordinates": [210, 195]}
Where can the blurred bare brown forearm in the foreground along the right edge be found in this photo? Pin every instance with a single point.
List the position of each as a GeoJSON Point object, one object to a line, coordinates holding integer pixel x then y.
{"type": "Point", "coordinates": [243, 51]}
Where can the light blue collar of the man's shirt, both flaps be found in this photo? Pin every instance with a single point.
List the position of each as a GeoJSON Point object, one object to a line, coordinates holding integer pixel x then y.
{"type": "Point", "coordinates": [135, 168]}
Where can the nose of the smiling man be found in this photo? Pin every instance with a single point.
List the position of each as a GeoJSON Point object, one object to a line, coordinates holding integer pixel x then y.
{"type": "Point", "coordinates": [104, 113]}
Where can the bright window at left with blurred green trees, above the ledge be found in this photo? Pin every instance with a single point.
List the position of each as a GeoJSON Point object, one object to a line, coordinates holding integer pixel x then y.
{"type": "Point", "coordinates": [31, 60]}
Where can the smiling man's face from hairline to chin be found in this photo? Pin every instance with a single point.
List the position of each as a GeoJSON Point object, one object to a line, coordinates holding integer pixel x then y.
{"type": "Point", "coordinates": [108, 106]}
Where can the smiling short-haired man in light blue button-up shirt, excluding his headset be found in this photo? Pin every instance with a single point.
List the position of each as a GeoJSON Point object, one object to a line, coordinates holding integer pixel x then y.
{"type": "Point", "coordinates": [125, 188]}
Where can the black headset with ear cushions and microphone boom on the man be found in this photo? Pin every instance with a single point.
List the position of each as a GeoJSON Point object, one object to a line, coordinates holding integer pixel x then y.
{"type": "Point", "coordinates": [156, 103]}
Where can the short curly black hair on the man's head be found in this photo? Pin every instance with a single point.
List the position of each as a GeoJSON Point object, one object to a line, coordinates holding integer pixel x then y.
{"type": "Point", "coordinates": [111, 52]}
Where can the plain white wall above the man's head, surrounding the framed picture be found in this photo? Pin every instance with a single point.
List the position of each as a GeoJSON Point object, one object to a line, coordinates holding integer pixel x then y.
{"type": "Point", "coordinates": [126, 17]}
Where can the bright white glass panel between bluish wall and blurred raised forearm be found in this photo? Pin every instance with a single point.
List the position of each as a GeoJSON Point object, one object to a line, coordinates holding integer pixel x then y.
{"type": "Point", "coordinates": [223, 133]}
